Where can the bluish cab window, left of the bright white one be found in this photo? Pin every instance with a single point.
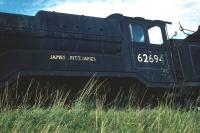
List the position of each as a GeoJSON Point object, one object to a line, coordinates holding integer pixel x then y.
{"type": "Point", "coordinates": [137, 33]}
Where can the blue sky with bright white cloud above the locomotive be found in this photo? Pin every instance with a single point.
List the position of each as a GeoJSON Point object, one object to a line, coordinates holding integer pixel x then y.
{"type": "Point", "coordinates": [184, 11]}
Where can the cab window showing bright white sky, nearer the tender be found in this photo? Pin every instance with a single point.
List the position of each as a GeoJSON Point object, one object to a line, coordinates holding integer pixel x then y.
{"type": "Point", "coordinates": [155, 35]}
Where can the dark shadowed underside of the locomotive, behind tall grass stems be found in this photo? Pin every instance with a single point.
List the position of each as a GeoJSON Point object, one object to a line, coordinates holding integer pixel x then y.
{"type": "Point", "coordinates": [96, 92]}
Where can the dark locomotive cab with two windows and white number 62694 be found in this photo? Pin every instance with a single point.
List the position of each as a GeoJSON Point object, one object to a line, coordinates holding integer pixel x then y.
{"type": "Point", "coordinates": [150, 51]}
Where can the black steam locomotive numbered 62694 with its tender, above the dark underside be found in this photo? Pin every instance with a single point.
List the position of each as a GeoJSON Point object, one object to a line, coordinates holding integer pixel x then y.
{"type": "Point", "coordinates": [57, 44]}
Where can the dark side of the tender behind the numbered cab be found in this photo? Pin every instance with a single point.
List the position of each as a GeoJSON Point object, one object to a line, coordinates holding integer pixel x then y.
{"type": "Point", "coordinates": [186, 57]}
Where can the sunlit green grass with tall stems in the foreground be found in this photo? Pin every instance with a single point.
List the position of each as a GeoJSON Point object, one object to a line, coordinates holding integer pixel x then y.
{"type": "Point", "coordinates": [87, 115]}
